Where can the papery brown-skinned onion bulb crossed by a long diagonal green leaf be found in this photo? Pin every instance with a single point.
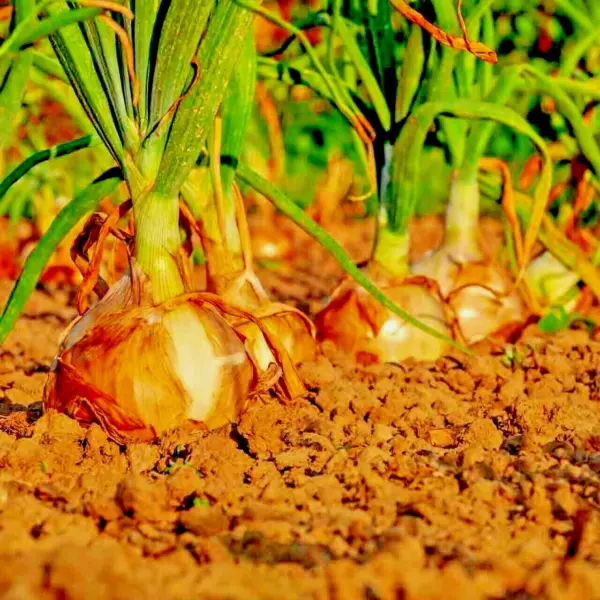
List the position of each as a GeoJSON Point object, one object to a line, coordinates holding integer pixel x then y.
{"type": "Point", "coordinates": [359, 325]}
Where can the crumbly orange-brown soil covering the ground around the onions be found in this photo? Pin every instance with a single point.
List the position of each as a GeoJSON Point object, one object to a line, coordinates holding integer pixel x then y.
{"type": "Point", "coordinates": [471, 477]}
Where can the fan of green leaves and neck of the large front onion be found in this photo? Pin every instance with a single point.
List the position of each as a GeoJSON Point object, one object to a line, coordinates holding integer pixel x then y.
{"type": "Point", "coordinates": [155, 140]}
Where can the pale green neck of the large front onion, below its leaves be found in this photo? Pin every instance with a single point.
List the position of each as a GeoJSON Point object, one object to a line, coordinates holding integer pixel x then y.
{"type": "Point", "coordinates": [157, 244]}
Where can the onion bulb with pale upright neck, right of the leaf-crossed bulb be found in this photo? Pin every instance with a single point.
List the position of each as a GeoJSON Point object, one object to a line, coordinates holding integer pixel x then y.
{"type": "Point", "coordinates": [479, 291]}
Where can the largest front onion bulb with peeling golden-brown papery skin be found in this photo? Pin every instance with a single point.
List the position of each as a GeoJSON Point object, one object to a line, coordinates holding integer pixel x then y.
{"type": "Point", "coordinates": [139, 370]}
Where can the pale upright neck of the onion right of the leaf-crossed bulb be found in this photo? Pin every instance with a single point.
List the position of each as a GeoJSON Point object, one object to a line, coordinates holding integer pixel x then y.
{"type": "Point", "coordinates": [462, 217]}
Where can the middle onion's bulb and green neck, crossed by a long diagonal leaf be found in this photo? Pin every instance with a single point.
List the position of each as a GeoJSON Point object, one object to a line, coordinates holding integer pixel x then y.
{"type": "Point", "coordinates": [358, 324]}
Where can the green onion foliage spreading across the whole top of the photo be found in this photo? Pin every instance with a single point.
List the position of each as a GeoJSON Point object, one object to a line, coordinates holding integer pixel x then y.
{"type": "Point", "coordinates": [441, 109]}
